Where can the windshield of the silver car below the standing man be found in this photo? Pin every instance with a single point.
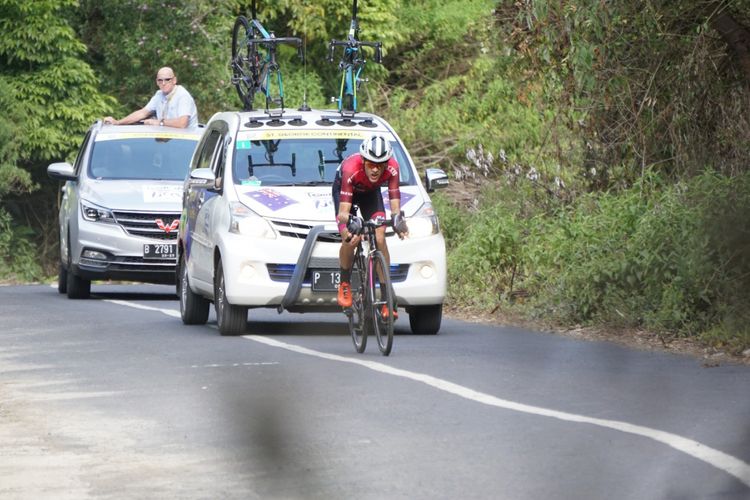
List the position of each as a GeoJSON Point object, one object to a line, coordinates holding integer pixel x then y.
{"type": "Point", "coordinates": [141, 158]}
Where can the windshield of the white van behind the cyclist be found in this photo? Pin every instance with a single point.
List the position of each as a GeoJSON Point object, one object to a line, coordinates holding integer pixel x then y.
{"type": "Point", "coordinates": [295, 162]}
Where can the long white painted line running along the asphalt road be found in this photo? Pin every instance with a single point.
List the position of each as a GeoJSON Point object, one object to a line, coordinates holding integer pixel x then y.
{"type": "Point", "coordinates": [716, 458]}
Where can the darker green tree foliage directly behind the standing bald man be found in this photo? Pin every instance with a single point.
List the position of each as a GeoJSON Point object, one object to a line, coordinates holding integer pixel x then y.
{"type": "Point", "coordinates": [129, 40]}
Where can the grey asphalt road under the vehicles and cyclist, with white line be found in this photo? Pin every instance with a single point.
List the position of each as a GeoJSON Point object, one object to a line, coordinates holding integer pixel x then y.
{"type": "Point", "coordinates": [113, 397]}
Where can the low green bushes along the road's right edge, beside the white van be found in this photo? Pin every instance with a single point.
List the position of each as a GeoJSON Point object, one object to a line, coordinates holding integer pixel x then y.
{"type": "Point", "coordinates": [672, 259]}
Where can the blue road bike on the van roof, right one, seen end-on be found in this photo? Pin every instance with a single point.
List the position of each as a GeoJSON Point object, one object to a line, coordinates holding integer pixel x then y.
{"type": "Point", "coordinates": [352, 63]}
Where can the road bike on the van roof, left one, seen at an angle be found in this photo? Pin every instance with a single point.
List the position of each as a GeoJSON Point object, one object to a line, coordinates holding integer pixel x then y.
{"type": "Point", "coordinates": [254, 65]}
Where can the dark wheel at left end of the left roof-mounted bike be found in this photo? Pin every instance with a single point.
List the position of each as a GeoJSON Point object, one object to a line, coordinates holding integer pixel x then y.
{"type": "Point", "coordinates": [244, 62]}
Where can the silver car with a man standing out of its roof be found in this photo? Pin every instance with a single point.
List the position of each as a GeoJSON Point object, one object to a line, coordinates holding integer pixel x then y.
{"type": "Point", "coordinates": [120, 206]}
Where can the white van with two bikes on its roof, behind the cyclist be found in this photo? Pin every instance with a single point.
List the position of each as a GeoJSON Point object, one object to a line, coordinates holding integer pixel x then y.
{"type": "Point", "coordinates": [258, 226]}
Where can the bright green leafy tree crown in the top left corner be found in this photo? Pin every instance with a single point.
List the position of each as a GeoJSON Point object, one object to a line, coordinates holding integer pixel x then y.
{"type": "Point", "coordinates": [43, 68]}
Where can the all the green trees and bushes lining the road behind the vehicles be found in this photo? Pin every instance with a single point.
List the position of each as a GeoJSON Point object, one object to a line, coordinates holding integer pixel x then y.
{"type": "Point", "coordinates": [597, 150]}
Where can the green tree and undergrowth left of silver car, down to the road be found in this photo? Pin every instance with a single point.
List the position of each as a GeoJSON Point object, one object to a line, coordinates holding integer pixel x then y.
{"type": "Point", "coordinates": [49, 98]}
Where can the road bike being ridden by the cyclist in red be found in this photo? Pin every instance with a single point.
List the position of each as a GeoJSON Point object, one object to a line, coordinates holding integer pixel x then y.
{"type": "Point", "coordinates": [371, 291]}
